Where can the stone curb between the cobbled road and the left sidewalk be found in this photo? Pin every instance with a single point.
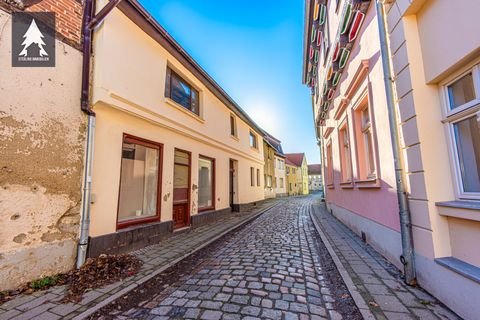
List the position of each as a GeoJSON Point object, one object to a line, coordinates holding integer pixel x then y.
{"type": "Point", "coordinates": [120, 293]}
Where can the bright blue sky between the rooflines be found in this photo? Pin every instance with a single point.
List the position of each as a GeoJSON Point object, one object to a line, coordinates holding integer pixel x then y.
{"type": "Point", "coordinates": [254, 50]}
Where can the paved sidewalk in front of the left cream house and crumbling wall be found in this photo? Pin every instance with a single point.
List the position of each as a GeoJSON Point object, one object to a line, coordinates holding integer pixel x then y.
{"type": "Point", "coordinates": [157, 258]}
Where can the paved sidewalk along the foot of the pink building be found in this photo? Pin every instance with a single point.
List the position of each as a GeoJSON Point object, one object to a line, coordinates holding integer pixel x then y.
{"type": "Point", "coordinates": [373, 282]}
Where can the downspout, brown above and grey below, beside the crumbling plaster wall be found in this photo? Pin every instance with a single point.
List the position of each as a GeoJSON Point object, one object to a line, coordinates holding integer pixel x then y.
{"type": "Point", "coordinates": [88, 25]}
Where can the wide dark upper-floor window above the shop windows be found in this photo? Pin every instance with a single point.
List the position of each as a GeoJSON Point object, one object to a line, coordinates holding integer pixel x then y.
{"type": "Point", "coordinates": [180, 91]}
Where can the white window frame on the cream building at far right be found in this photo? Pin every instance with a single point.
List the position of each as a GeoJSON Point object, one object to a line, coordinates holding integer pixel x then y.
{"type": "Point", "coordinates": [453, 116]}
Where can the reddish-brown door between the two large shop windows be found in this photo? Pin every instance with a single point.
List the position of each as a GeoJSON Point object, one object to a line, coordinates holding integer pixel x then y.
{"type": "Point", "coordinates": [181, 189]}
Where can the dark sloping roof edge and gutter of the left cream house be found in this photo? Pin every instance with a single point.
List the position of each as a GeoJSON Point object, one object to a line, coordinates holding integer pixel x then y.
{"type": "Point", "coordinates": [144, 20]}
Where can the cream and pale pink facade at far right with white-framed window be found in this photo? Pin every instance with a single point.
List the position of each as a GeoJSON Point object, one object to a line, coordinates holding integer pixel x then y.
{"type": "Point", "coordinates": [434, 44]}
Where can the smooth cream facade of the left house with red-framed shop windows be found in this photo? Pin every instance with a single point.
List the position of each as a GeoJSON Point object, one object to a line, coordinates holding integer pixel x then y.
{"type": "Point", "coordinates": [128, 98]}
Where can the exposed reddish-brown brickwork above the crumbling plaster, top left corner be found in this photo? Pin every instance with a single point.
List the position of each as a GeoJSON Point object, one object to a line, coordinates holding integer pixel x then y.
{"type": "Point", "coordinates": [68, 15]}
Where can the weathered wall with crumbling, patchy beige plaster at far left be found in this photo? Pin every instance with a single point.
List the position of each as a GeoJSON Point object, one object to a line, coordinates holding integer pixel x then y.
{"type": "Point", "coordinates": [41, 159]}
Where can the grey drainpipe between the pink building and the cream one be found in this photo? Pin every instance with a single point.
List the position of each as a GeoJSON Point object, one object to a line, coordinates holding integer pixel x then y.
{"type": "Point", "coordinates": [408, 256]}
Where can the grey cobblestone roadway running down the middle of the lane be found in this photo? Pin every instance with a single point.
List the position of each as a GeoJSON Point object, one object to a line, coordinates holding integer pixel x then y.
{"type": "Point", "coordinates": [269, 270]}
